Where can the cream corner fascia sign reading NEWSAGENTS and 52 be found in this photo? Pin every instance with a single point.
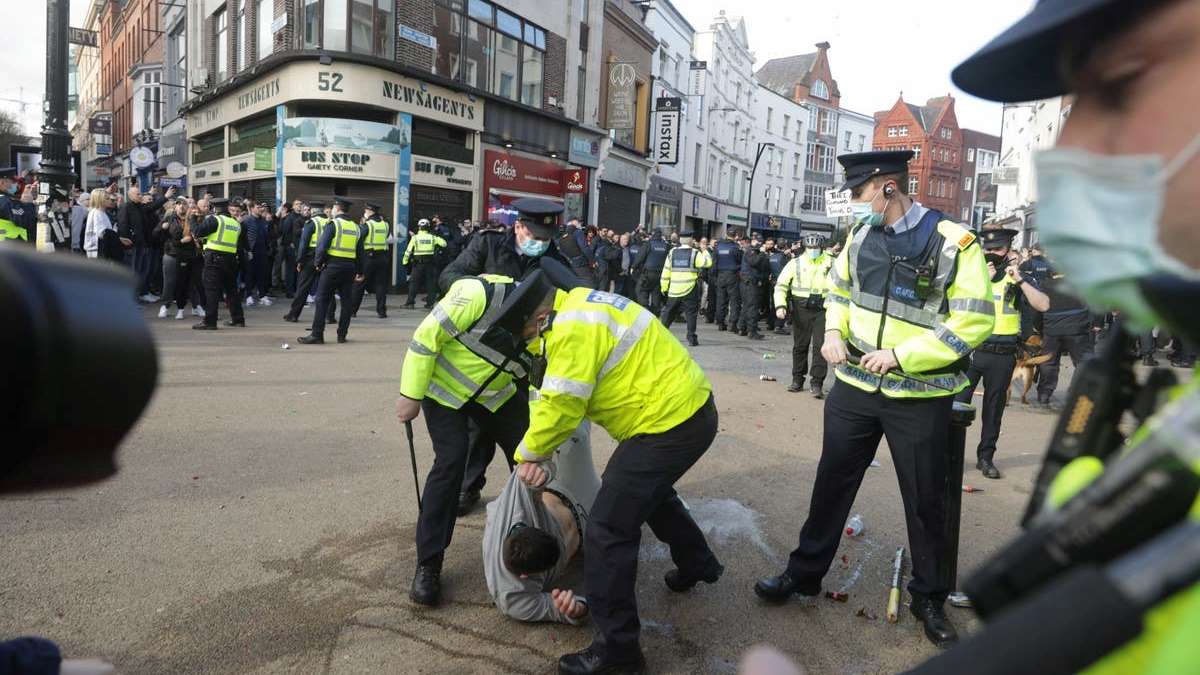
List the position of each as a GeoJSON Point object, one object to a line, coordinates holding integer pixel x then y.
{"type": "Point", "coordinates": [340, 83]}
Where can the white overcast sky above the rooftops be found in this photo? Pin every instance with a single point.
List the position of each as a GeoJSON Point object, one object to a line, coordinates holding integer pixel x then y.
{"type": "Point", "coordinates": [878, 51]}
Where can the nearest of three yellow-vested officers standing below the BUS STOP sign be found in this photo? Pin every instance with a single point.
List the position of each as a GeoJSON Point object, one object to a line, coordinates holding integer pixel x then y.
{"type": "Point", "coordinates": [340, 256]}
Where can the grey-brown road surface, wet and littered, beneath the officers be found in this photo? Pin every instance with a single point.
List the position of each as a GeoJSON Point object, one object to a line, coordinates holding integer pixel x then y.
{"type": "Point", "coordinates": [265, 515]}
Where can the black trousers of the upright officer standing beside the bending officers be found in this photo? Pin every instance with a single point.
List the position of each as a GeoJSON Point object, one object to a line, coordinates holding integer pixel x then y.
{"type": "Point", "coordinates": [919, 437]}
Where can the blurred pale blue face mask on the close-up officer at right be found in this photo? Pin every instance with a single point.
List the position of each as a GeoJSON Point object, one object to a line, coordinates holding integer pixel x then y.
{"type": "Point", "coordinates": [1099, 217]}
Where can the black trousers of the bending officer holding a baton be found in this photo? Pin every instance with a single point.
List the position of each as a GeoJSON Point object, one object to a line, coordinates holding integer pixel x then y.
{"type": "Point", "coordinates": [448, 429]}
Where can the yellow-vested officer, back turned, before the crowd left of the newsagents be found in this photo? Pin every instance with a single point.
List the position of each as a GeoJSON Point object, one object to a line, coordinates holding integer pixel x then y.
{"type": "Point", "coordinates": [226, 248]}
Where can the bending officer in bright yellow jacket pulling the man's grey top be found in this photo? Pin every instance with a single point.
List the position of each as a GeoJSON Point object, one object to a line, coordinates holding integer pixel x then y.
{"type": "Point", "coordinates": [609, 360]}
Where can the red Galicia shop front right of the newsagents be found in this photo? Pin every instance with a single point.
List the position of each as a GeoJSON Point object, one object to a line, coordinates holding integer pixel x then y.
{"type": "Point", "coordinates": [509, 176]}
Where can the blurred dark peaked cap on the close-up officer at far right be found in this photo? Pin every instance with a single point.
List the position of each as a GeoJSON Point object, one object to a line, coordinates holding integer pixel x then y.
{"type": "Point", "coordinates": [1027, 62]}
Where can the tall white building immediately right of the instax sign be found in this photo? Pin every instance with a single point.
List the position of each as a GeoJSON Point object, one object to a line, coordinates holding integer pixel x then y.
{"type": "Point", "coordinates": [719, 132]}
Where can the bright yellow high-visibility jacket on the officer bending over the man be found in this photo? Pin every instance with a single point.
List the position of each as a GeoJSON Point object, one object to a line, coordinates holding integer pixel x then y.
{"type": "Point", "coordinates": [611, 361]}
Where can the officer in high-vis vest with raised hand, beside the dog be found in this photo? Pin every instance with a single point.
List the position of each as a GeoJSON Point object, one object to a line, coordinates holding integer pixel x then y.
{"type": "Point", "coordinates": [995, 360]}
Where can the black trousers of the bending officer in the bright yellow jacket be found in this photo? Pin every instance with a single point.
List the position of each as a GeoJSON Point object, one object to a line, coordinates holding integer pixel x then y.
{"type": "Point", "coordinates": [638, 488]}
